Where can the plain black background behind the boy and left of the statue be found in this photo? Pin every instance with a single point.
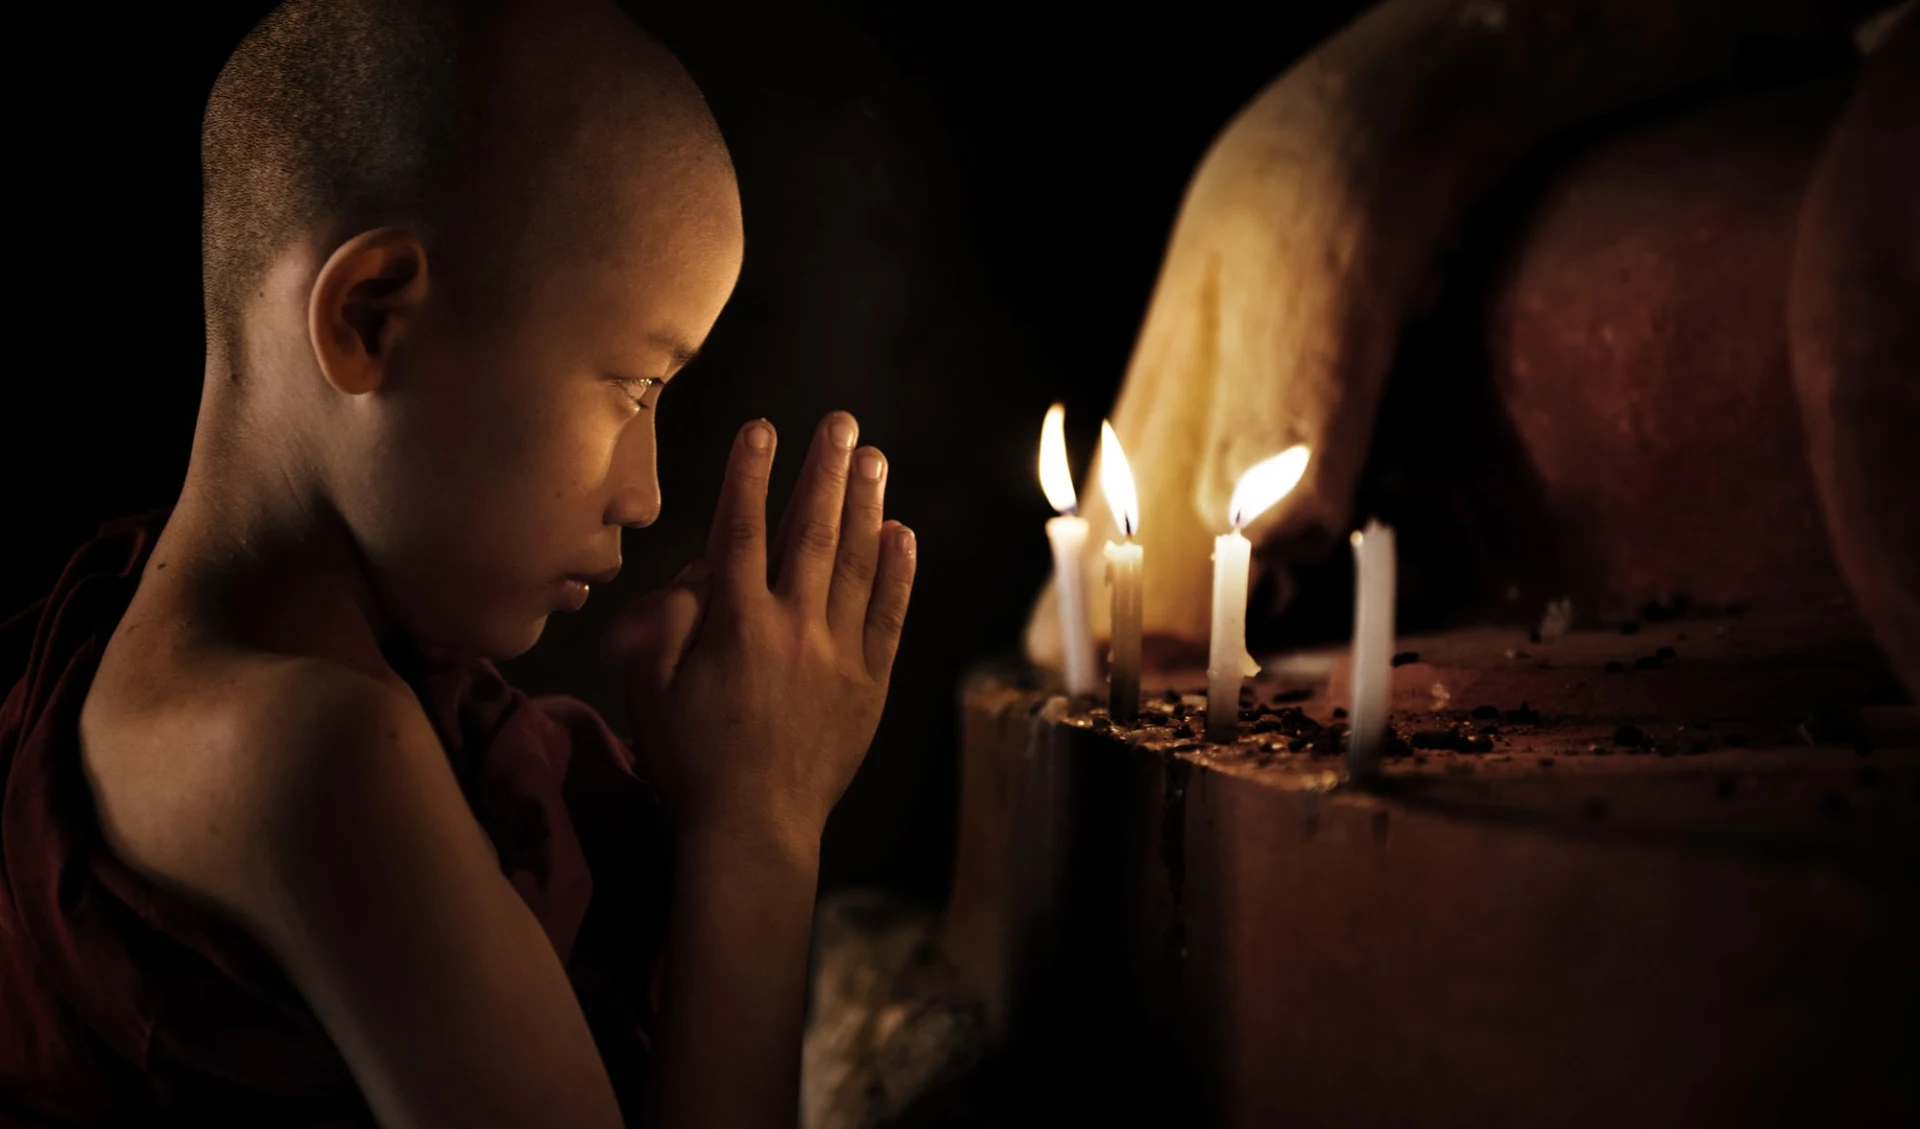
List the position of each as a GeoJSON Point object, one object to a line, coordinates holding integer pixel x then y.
{"type": "Point", "coordinates": [953, 220]}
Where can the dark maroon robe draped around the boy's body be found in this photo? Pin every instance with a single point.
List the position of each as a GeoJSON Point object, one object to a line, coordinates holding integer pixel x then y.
{"type": "Point", "coordinates": [124, 1005]}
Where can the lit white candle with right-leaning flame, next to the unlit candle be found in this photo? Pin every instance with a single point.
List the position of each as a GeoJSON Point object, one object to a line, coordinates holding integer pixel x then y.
{"type": "Point", "coordinates": [1228, 661]}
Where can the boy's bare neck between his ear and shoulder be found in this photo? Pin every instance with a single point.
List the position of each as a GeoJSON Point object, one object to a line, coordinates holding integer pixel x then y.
{"type": "Point", "coordinates": [260, 554]}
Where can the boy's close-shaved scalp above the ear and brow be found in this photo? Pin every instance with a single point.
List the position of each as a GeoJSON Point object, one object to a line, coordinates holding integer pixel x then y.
{"type": "Point", "coordinates": [494, 130]}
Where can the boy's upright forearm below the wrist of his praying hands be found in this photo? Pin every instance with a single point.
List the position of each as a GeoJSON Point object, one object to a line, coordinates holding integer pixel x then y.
{"type": "Point", "coordinates": [740, 925]}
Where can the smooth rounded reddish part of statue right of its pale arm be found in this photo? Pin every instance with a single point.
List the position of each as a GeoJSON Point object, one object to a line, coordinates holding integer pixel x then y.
{"type": "Point", "coordinates": [1639, 345]}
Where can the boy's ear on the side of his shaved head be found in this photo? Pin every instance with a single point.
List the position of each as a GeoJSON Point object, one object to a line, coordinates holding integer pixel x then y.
{"type": "Point", "coordinates": [362, 302]}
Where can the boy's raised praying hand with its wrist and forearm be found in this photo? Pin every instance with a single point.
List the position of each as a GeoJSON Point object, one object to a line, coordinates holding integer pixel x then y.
{"type": "Point", "coordinates": [757, 704]}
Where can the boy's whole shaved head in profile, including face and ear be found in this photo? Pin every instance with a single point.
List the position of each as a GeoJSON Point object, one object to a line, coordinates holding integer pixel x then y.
{"type": "Point", "coordinates": [454, 254]}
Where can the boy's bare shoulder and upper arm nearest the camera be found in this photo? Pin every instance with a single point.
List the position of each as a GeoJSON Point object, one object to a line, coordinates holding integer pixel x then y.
{"type": "Point", "coordinates": [314, 805]}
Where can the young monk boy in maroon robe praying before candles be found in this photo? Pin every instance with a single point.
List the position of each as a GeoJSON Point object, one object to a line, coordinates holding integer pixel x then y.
{"type": "Point", "coordinates": [277, 846]}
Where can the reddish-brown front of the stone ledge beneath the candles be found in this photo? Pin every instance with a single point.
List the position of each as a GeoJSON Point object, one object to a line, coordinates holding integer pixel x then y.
{"type": "Point", "coordinates": [1214, 936]}
